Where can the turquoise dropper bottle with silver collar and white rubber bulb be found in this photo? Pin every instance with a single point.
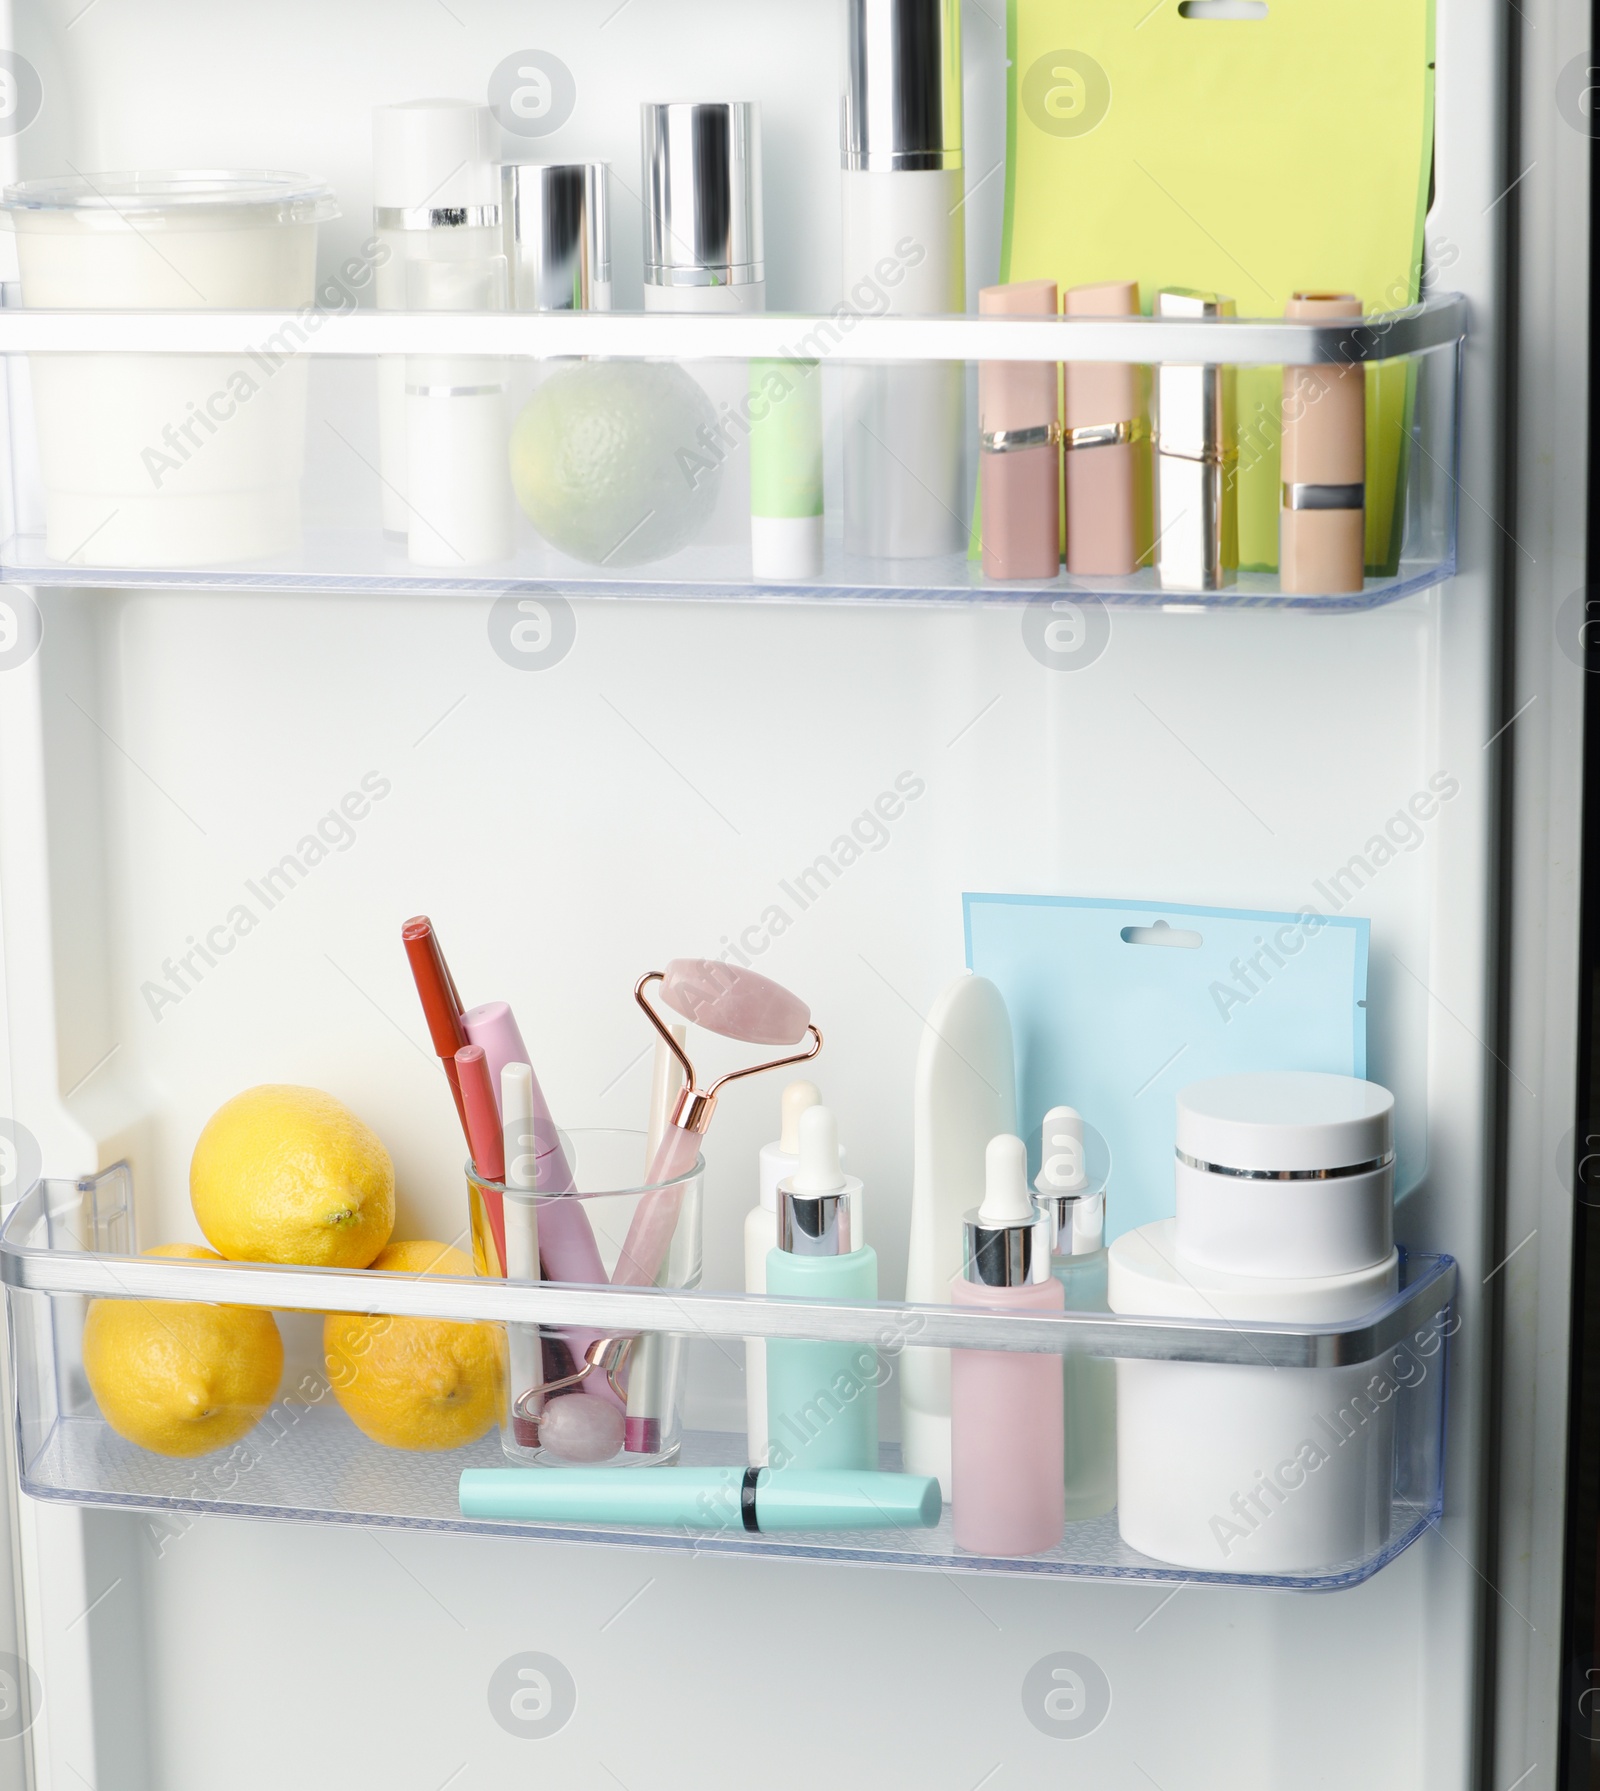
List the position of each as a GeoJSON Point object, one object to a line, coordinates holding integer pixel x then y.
{"type": "Point", "coordinates": [822, 1398]}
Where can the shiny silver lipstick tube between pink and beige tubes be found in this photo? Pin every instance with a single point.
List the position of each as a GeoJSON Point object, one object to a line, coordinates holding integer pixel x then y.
{"type": "Point", "coordinates": [1196, 461]}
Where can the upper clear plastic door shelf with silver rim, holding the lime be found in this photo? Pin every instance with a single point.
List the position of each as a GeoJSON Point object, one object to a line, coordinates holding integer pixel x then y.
{"type": "Point", "coordinates": [252, 450]}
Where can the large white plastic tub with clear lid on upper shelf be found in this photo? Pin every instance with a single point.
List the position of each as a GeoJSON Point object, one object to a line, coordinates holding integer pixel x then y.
{"type": "Point", "coordinates": [169, 459]}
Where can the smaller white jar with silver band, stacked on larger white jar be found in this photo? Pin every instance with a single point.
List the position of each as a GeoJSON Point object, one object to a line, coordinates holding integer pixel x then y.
{"type": "Point", "coordinates": [1286, 1172]}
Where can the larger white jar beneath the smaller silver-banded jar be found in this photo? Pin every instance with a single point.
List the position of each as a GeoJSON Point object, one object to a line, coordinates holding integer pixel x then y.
{"type": "Point", "coordinates": [1241, 1470]}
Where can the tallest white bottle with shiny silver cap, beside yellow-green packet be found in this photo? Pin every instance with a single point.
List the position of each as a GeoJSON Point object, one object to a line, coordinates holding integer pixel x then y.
{"type": "Point", "coordinates": [904, 257]}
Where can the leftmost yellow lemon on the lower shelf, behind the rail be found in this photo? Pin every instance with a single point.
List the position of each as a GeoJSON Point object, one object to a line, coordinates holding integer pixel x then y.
{"type": "Point", "coordinates": [176, 1376]}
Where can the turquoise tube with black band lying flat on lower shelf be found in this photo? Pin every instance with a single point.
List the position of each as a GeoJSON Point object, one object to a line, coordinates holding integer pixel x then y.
{"type": "Point", "coordinates": [705, 1498]}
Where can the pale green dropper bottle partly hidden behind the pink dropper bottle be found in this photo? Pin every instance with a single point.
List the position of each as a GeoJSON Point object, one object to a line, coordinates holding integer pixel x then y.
{"type": "Point", "coordinates": [1078, 1204]}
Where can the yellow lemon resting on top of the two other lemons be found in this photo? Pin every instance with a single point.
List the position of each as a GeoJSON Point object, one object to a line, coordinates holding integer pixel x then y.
{"type": "Point", "coordinates": [289, 1176]}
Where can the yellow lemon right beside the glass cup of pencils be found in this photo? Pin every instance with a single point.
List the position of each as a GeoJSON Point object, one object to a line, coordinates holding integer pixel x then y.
{"type": "Point", "coordinates": [417, 1384]}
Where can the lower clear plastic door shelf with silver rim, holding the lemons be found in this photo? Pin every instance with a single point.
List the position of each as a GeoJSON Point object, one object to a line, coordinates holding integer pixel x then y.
{"type": "Point", "coordinates": [1373, 1385]}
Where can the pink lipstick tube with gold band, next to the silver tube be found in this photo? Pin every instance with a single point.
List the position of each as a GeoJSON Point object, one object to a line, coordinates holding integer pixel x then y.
{"type": "Point", "coordinates": [1103, 441]}
